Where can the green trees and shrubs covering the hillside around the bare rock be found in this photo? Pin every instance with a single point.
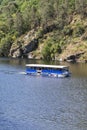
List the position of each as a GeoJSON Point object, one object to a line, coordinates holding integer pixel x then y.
{"type": "Point", "coordinates": [17, 17]}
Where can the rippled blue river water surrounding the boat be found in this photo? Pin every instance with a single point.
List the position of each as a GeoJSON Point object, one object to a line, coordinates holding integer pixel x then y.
{"type": "Point", "coordinates": [42, 103]}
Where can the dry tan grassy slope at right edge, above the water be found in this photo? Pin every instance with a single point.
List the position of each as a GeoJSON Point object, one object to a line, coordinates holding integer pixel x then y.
{"type": "Point", "coordinates": [77, 47]}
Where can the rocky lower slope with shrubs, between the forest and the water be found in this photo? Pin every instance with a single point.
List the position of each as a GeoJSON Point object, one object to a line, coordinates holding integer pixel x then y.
{"type": "Point", "coordinates": [68, 44]}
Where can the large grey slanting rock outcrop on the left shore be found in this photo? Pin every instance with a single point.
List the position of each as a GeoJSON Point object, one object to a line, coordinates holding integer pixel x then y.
{"type": "Point", "coordinates": [24, 45]}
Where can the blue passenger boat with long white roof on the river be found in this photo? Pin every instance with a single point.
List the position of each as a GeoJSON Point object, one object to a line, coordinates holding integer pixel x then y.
{"type": "Point", "coordinates": [47, 70]}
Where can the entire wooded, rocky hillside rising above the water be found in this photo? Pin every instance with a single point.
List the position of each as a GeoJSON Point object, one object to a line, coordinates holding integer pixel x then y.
{"type": "Point", "coordinates": [49, 29]}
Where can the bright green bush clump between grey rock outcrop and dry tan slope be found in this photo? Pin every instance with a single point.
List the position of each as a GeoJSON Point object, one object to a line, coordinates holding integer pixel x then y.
{"type": "Point", "coordinates": [52, 47]}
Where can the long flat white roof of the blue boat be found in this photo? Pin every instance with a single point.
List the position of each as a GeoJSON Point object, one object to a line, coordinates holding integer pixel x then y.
{"type": "Point", "coordinates": [46, 66]}
